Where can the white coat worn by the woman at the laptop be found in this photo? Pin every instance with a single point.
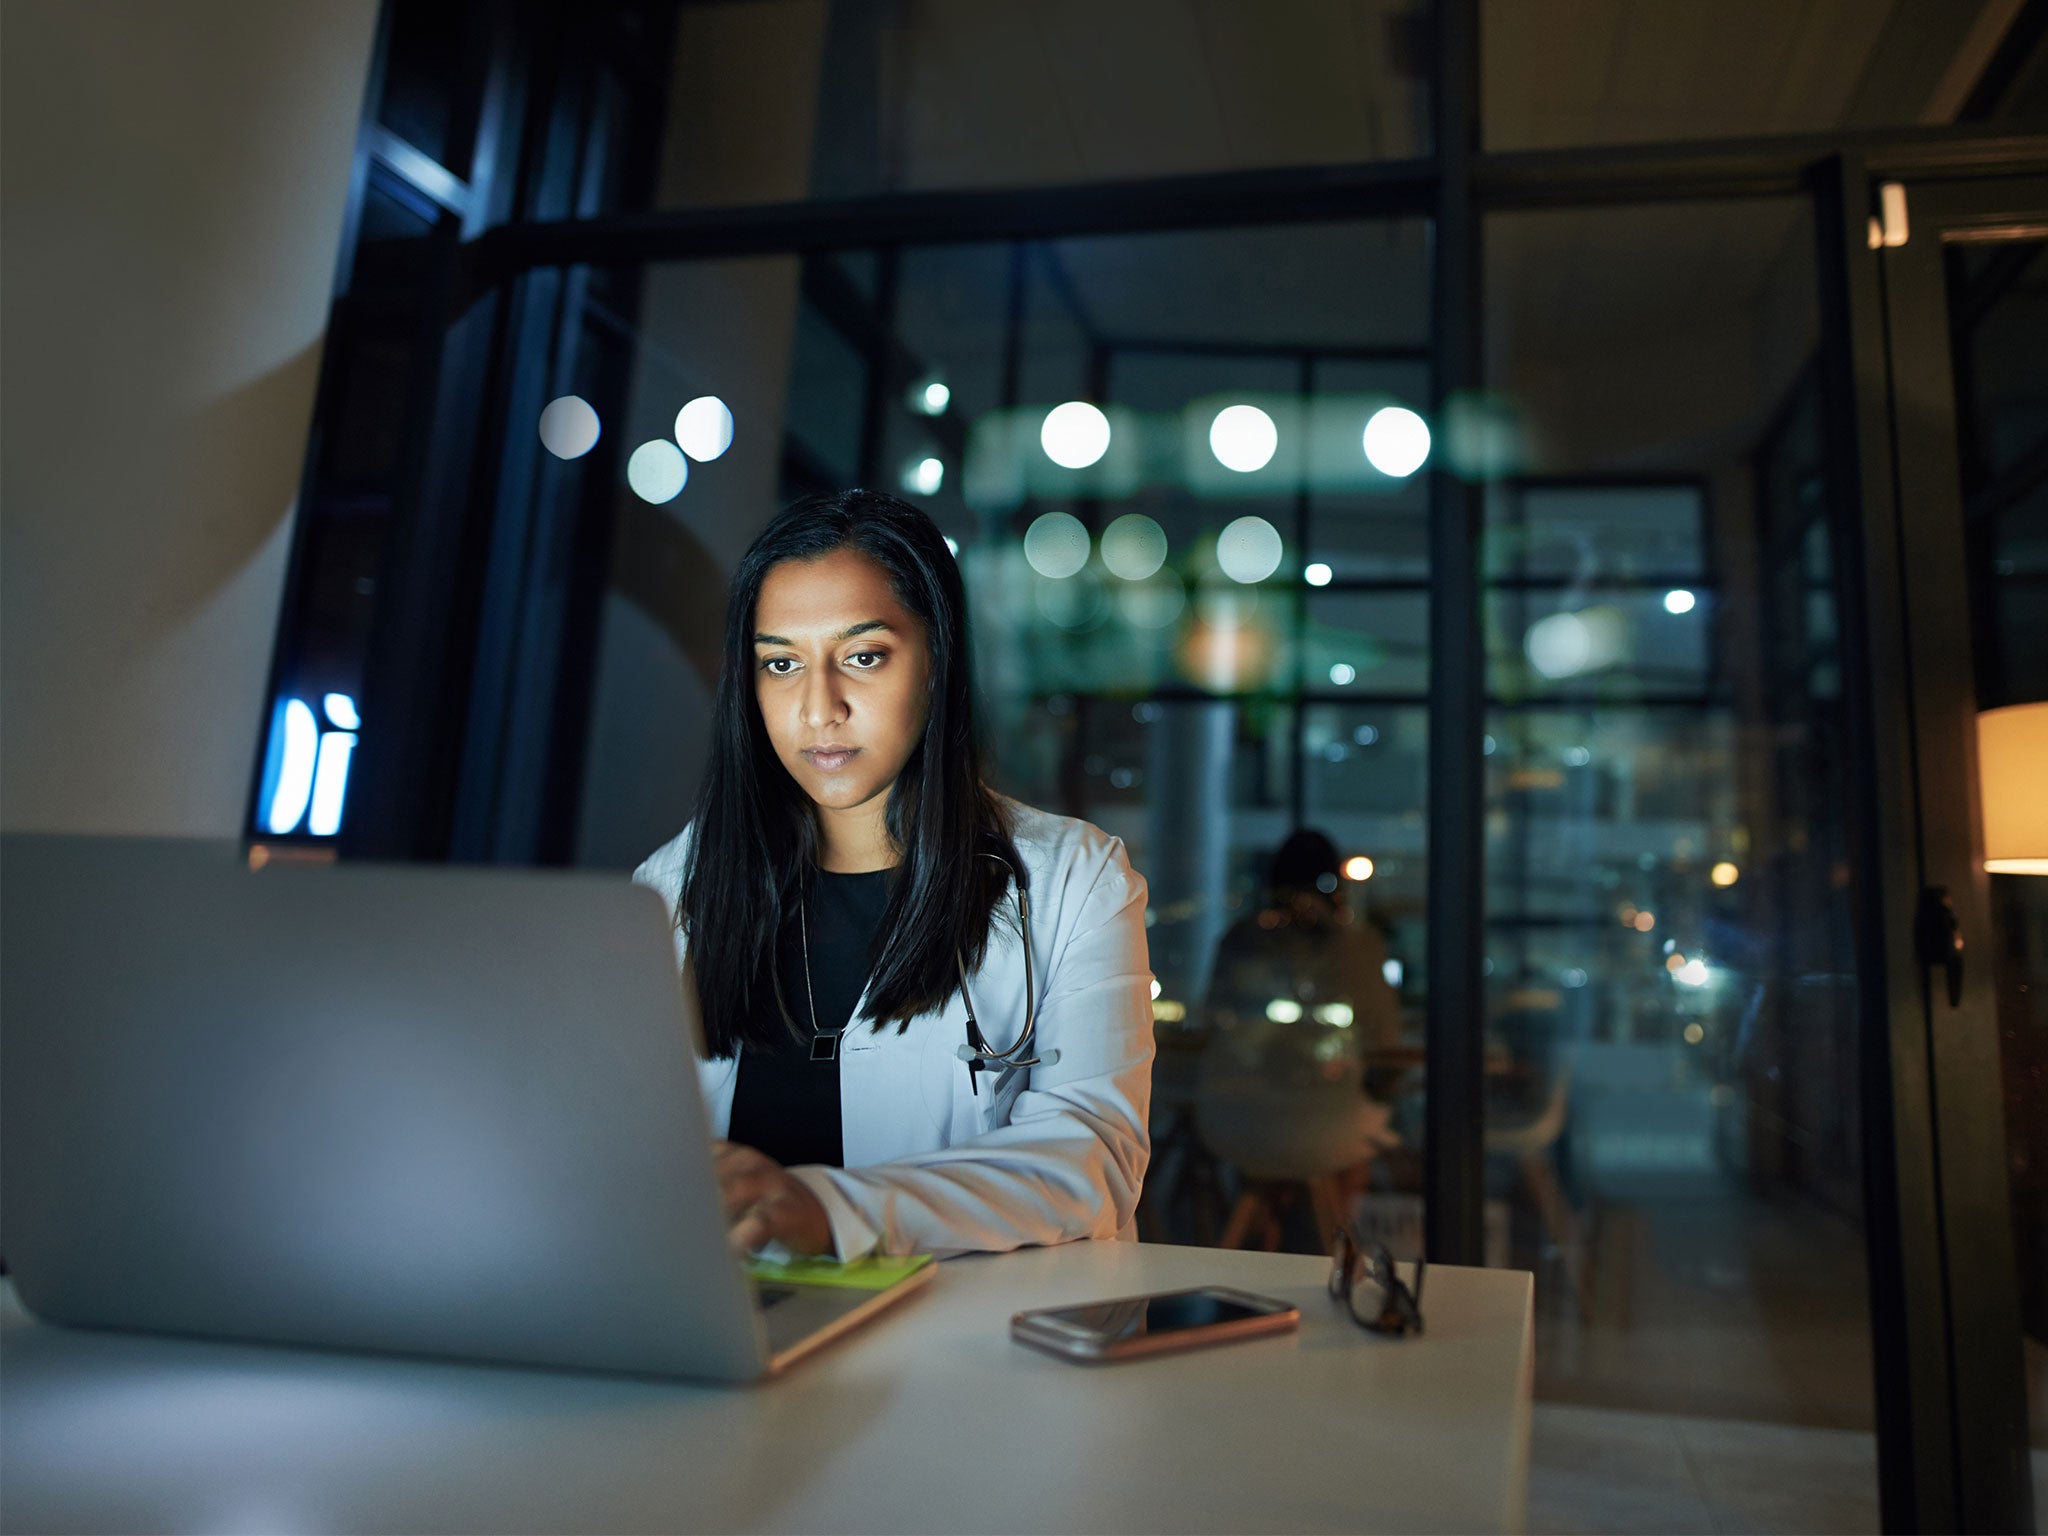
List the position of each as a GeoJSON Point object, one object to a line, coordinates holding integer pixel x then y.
{"type": "Point", "coordinates": [1041, 1154]}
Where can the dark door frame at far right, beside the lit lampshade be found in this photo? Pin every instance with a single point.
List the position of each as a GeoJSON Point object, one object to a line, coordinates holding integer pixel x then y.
{"type": "Point", "coordinates": [1947, 1347]}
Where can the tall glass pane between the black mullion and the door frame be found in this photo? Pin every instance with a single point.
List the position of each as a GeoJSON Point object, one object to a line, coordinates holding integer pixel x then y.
{"type": "Point", "coordinates": [1672, 1054]}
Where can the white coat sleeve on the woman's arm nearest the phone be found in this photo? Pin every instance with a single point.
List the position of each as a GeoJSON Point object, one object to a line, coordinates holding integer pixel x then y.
{"type": "Point", "coordinates": [1070, 1160]}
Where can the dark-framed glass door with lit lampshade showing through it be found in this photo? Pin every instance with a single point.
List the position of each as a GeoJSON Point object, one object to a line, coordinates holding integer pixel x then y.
{"type": "Point", "coordinates": [1965, 316]}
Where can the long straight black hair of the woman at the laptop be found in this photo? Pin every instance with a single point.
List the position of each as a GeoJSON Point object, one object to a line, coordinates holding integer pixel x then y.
{"type": "Point", "coordinates": [755, 845]}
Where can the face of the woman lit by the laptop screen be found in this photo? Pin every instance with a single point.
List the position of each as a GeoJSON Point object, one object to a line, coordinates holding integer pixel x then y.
{"type": "Point", "coordinates": [841, 675]}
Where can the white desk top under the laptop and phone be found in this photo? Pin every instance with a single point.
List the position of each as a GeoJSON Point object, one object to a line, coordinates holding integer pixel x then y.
{"type": "Point", "coordinates": [927, 1420]}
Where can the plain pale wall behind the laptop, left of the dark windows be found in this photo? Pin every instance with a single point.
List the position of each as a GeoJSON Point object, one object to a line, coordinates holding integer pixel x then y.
{"type": "Point", "coordinates": [171, 187]}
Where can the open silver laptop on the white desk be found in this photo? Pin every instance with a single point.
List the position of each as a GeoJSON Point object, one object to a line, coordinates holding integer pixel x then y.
{"type": "Point", "coordinates": [404, 1109]}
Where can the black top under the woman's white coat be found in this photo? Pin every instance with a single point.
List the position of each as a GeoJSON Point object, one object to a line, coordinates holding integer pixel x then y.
{"type": "Point", "coordinates": [785, 1103]}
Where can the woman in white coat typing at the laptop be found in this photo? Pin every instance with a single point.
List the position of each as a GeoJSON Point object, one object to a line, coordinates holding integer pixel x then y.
{"type": "Point", "coordinates": [845, 873]}
